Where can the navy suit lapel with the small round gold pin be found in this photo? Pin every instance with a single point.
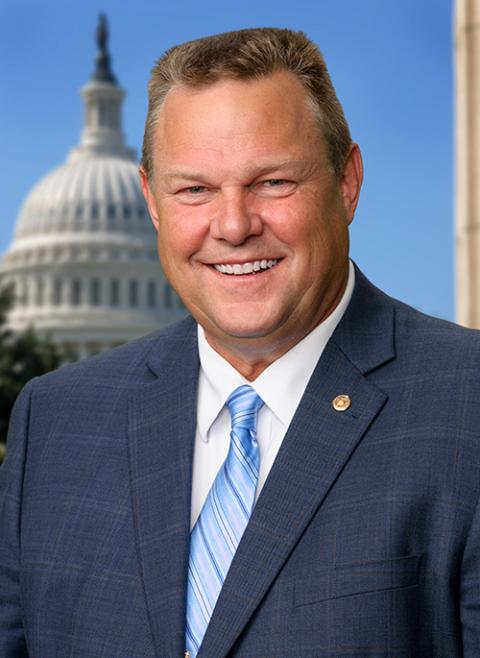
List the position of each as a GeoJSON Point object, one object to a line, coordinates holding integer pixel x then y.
{"type": "Point", "coordinates": [315, 449]}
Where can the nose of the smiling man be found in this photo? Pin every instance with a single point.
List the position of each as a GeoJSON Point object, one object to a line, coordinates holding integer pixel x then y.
{"type": "Point", "coordinates": [236, 218]}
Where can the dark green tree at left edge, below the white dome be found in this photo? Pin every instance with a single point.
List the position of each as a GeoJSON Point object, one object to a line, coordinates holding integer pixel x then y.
{"type": "Point", "coordinates": [22, 357]}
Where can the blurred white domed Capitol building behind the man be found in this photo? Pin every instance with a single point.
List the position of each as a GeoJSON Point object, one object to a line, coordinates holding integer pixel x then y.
{"type": "Point", "coordinates": [83, 261]}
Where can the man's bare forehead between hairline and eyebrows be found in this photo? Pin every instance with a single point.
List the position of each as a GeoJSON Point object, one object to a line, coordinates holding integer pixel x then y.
{"type": "Point", "coordinates": [270, 112]}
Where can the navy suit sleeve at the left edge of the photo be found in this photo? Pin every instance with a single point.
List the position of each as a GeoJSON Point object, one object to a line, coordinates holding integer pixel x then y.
{"type": "Point", "coordinates": [12, 636]}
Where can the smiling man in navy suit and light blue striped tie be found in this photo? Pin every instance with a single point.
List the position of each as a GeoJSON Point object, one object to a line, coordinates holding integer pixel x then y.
{"type": "Point", "coordinates": [340, 518]}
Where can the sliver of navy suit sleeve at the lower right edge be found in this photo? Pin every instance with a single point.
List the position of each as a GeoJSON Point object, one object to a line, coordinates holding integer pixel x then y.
{"type": "Point", "coordinates": [470, 590]}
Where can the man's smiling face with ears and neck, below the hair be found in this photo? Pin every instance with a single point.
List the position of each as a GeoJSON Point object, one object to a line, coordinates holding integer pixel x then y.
{"type": "Point", "coordinates": [252, 224]}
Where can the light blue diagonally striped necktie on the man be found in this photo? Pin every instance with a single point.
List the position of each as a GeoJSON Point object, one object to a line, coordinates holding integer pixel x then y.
{"type": "Point", "coordinates": [224, 516]}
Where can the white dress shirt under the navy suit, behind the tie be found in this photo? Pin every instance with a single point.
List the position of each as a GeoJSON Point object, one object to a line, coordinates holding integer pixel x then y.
{"type": "Point", "coordinates": [281, 387]}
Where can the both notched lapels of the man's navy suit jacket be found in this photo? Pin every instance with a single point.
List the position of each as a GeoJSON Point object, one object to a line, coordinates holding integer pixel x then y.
{"type": "Point", "coordinates": [162, 420]}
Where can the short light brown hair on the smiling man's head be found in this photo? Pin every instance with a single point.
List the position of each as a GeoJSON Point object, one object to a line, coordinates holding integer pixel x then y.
{"type": "Point", "coordinates": [249, 54]}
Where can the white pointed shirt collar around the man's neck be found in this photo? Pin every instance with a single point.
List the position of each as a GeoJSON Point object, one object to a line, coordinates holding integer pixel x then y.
{"type": "Point", "coordinates": [280, 386]}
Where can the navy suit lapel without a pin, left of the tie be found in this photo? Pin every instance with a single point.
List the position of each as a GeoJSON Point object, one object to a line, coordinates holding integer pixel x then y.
{"type": "Point", "coordinates": [162, 419]}
